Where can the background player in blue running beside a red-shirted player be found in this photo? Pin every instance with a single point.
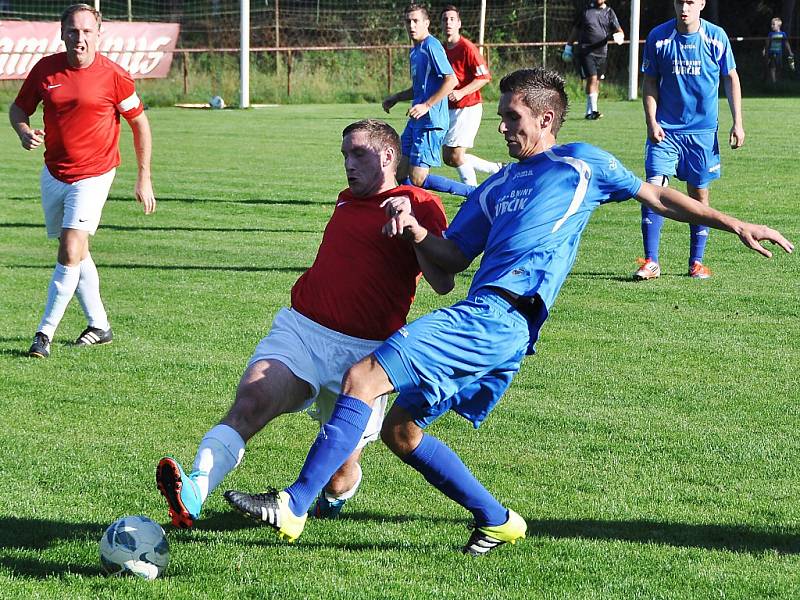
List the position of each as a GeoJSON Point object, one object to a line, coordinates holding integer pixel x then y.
{"type": "Point", "coordinates": [432, 79]}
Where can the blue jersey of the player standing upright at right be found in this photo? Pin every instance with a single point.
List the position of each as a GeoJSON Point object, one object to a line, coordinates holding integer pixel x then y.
{"type": "Point", "coordinates": [688, 68]}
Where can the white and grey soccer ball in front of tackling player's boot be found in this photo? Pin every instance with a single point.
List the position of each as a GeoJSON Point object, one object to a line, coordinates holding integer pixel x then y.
{"type": "Point", "coordinates": [134, 545]}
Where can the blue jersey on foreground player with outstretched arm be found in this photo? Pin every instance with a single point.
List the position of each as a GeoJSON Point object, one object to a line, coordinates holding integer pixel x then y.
{"type": "Point", "coordinates": [528, 218]}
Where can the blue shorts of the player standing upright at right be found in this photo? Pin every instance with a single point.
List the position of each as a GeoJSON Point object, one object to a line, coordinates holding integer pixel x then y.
{"type": "Point", "coordinates": [692, 157]}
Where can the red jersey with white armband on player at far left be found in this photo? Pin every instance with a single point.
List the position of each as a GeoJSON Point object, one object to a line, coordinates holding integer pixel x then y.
{"type": "Point", "coordinates": [81, 113]}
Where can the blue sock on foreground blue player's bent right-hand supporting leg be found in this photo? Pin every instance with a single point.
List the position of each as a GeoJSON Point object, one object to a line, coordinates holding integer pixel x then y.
{"type": "Point", "coordinates": [443, 469]}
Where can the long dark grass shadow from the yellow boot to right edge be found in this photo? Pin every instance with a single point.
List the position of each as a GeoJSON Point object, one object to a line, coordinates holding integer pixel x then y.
{"type": "Point", "coordinates": [740, 539]}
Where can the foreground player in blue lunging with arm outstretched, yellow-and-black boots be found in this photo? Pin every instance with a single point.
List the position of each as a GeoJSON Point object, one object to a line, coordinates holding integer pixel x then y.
{"type": "Point", "coordinates": [527, 220]}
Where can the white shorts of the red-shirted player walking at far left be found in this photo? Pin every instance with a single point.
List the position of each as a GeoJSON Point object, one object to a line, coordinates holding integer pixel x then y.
{"type": "Point", "coordinates": [73, 205]}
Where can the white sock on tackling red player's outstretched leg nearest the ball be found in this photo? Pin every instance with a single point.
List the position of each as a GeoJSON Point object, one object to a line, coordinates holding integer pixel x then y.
{"type": "Point", "coordinates": [219, 453]}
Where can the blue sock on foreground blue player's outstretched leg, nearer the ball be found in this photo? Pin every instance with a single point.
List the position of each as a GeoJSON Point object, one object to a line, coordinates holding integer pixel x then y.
{"type": "Point", "coordinates": [335, 442]}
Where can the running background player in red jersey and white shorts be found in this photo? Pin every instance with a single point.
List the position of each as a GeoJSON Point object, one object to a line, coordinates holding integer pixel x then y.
{"type": "Point", "coordinates": [465, 102]}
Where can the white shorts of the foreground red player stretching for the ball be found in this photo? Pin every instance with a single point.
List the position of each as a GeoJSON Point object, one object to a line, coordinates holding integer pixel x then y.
{"type": "Point", "coordinates": [319, 356]}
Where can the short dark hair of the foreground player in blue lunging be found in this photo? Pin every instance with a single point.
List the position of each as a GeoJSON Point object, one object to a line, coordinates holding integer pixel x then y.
{"type": "Point", "coordinates": [541, 90]}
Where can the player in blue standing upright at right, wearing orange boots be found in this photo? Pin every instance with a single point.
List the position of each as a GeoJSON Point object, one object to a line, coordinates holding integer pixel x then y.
{"type": "Point", "coordinates": [683, 61]}
